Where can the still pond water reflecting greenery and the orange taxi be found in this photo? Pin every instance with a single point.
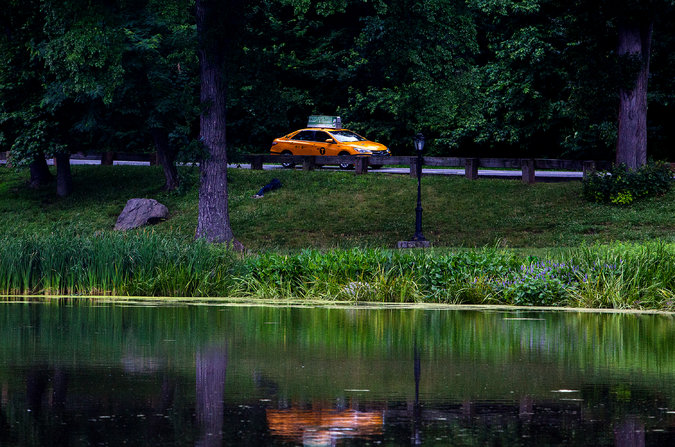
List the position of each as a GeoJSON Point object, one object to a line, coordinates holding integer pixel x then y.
{"type": "Point", "coordinates": [85, 373]}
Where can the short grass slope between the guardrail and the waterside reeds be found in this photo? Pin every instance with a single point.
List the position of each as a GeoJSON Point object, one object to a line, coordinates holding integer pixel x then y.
{"type": "Point", "coordinates": [339, 209]}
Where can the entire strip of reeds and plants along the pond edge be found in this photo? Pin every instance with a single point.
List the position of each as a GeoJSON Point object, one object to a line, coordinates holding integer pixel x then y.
{"type": "Point", "coordinates": [620, 276]}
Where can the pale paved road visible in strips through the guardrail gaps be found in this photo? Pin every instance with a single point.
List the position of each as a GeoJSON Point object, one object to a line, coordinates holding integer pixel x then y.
{"type": "Point", "coordinates": [486, 173]}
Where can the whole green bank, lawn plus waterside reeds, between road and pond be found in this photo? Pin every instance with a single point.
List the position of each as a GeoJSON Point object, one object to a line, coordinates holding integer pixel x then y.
{"type": "Point", "coordinates": [547, 246]}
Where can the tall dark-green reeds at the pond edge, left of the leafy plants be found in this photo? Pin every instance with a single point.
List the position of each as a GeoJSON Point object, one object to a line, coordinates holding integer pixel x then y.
{"type": "Point", "coordinates": [142, 264]}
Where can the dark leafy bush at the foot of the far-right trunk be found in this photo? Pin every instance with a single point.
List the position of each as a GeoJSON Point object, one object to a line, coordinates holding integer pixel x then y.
{"type": "Point", "coordinates": [621, 186]}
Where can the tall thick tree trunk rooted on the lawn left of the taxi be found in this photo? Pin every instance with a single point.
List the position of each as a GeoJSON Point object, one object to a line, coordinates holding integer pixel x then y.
{"type": "Point", "coordinates": [213, 222]}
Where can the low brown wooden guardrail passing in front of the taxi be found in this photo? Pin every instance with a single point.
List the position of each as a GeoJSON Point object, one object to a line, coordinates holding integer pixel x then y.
{"type": "Point", "coordinates": [470, 165]}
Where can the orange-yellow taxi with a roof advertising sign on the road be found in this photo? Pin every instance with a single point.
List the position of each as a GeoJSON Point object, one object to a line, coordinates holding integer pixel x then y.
{"type": "Point", "coordinates": [323, 137]}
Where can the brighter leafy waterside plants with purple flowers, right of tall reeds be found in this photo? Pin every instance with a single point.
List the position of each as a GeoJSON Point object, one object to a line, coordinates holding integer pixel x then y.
{"type": "Point", "coordinates": [617, 276]}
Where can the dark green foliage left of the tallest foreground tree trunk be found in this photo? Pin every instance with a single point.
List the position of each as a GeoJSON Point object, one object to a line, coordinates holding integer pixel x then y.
{"type": "Point", "coordinates": [95, 76]}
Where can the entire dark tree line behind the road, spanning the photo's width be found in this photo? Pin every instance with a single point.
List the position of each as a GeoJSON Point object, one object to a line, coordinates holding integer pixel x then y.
{"type": "Point", "coordinates": [544, 78]}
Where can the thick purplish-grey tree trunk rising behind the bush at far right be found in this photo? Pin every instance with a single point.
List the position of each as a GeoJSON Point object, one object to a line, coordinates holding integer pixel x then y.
{"type": "Point", "coordinates": [631, 147]}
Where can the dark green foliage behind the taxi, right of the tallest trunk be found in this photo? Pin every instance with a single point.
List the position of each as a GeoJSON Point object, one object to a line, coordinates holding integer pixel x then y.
{"type": "Point", "coordinates": [485, 78]}
